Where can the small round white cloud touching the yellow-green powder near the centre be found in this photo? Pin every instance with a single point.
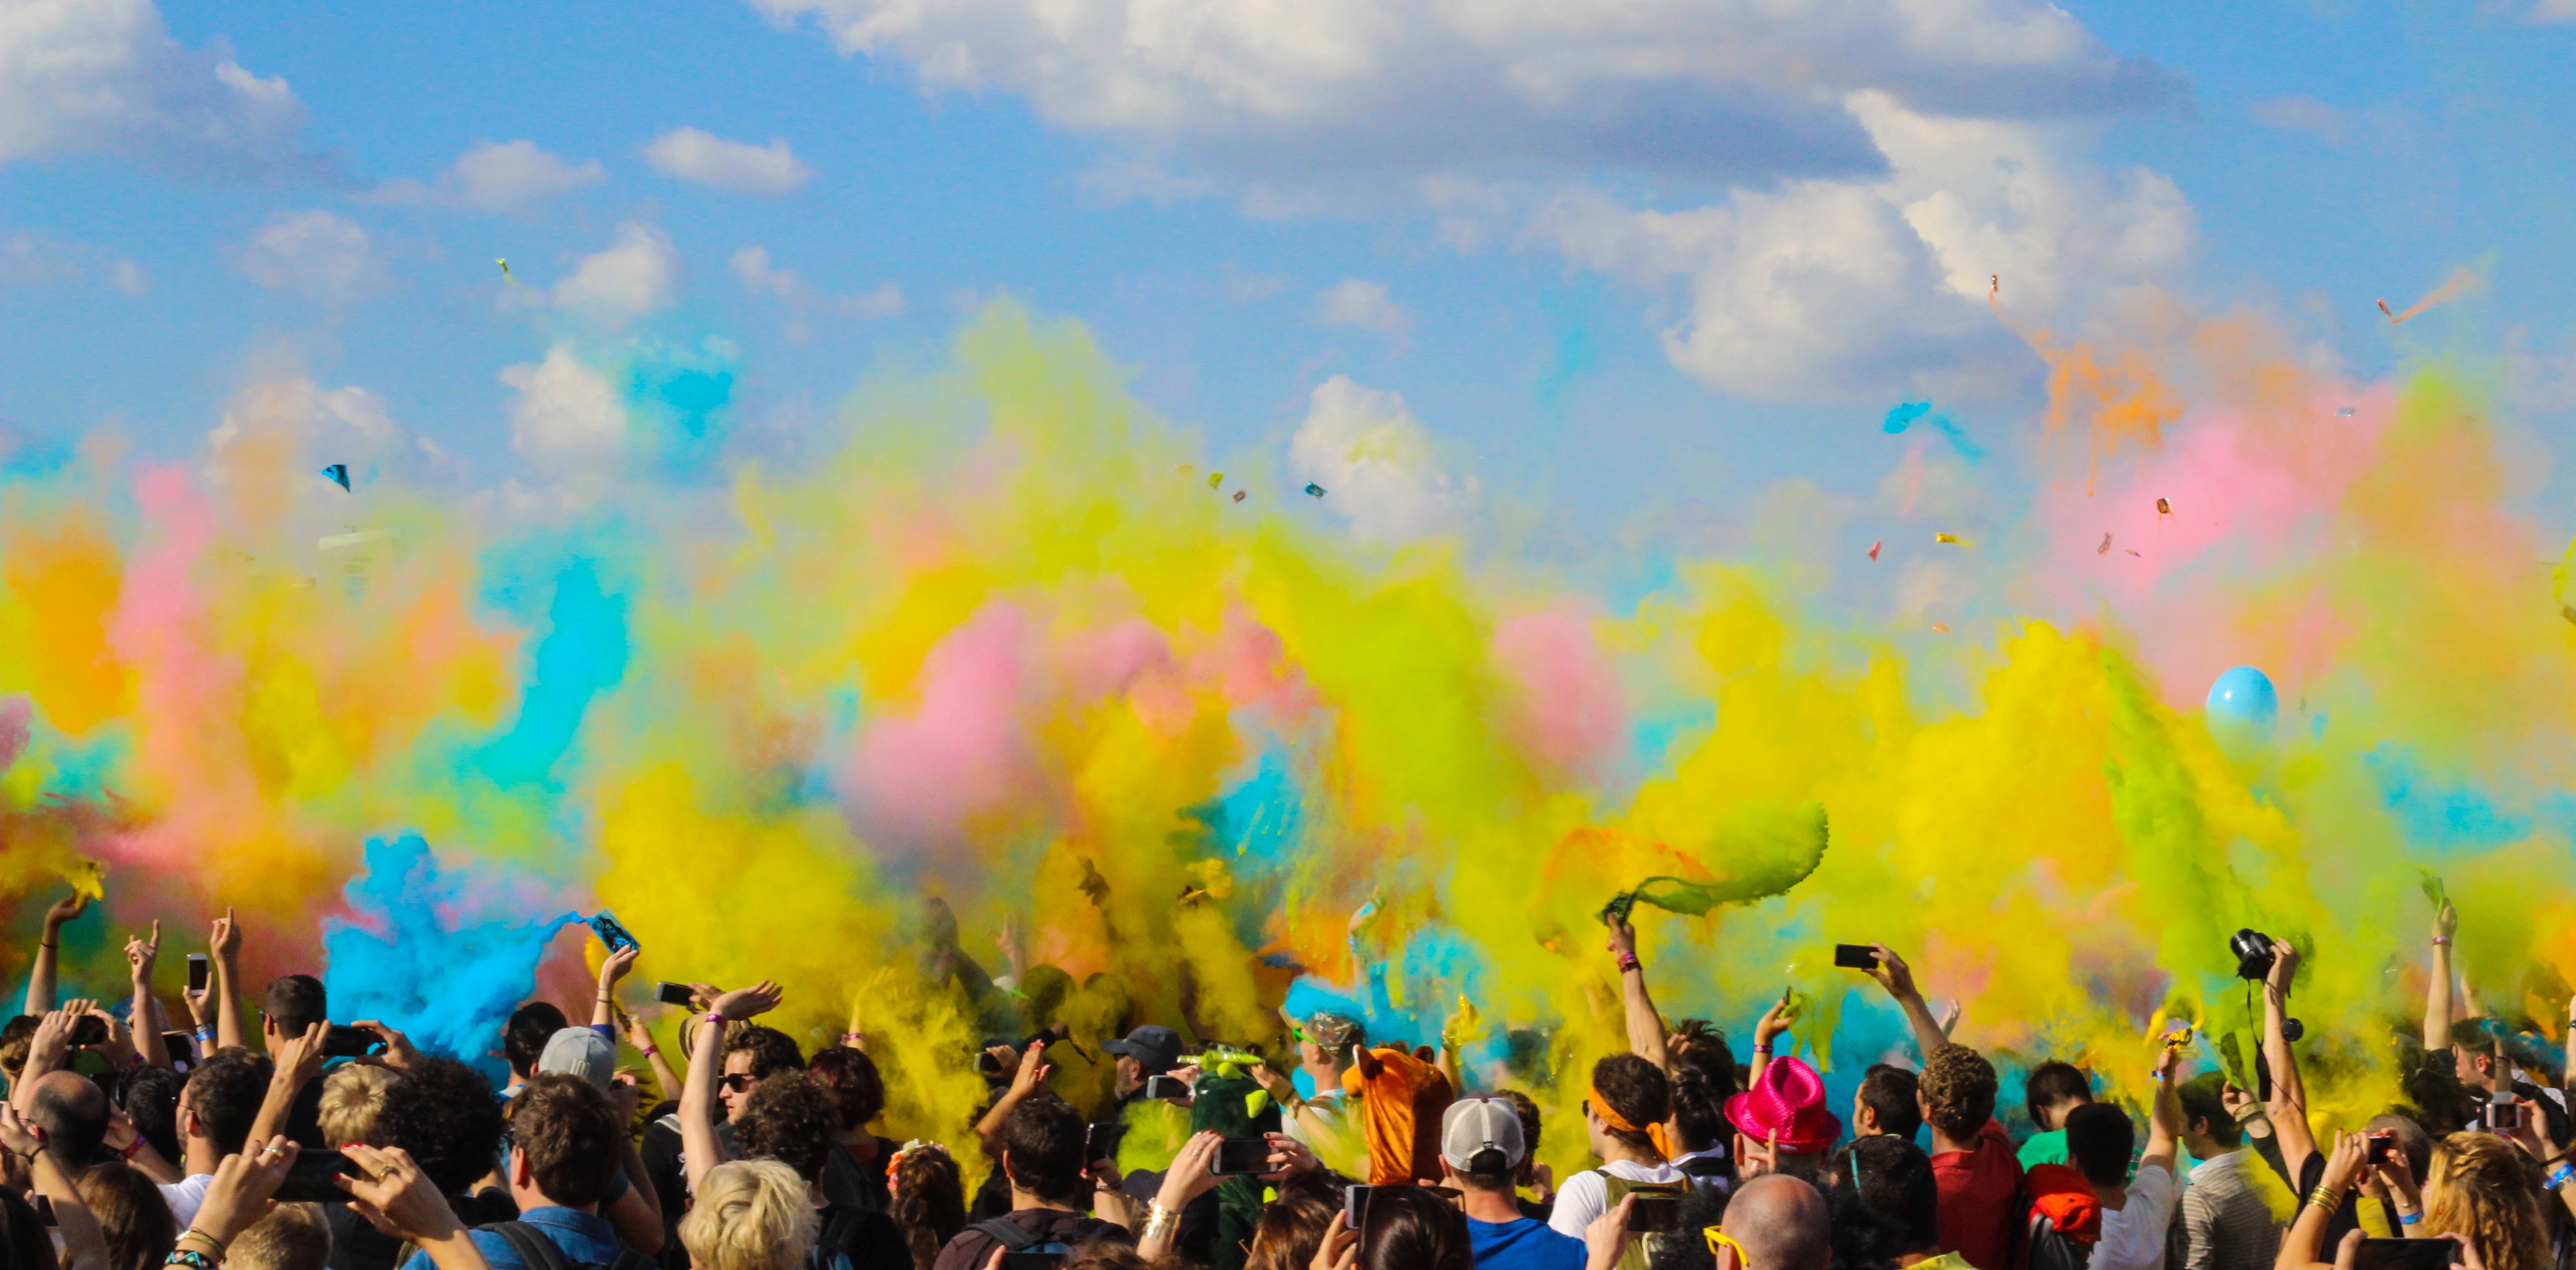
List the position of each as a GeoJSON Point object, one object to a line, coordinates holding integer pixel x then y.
{"type": "Point", "coordinates": [1374, 462]}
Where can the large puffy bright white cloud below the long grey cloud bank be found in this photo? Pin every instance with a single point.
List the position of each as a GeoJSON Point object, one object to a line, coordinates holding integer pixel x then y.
{"type": "Point", "coordinates": [1861, 287]}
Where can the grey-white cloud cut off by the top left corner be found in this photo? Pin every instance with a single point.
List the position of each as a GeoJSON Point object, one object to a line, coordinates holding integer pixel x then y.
{"type": "Point", "coordinates": [104, 76]}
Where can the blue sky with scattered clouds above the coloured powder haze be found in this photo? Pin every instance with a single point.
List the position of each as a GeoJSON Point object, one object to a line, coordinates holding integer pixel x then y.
{"type": "Point", "coordinates": [1619, 274]}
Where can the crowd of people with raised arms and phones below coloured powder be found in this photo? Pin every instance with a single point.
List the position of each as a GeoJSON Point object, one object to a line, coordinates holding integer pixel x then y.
{"type": "Point", "coordinates": [300, 1150]}
